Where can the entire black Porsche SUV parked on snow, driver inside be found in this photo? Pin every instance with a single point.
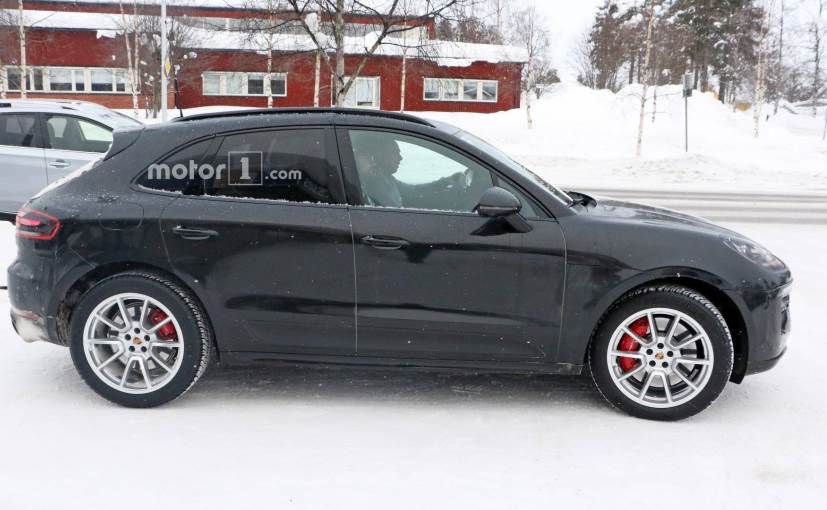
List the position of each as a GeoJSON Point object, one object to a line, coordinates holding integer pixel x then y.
{"type": "Point", "coordinates": [369, 238]}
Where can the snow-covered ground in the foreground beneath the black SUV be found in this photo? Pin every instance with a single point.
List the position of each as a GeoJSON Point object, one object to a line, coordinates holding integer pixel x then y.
{"type": "Point", "coordinates": [311, 438]}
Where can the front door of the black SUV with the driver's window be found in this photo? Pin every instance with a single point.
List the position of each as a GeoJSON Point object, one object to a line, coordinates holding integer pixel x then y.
{"type": "Point", "coordinates": [435, 280]}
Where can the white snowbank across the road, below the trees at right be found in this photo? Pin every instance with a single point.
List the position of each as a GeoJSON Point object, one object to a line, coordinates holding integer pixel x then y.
{"type": "Point", "coordinates": [586, 138]}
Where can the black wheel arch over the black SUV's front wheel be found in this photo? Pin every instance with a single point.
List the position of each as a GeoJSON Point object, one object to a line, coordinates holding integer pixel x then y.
{"type": "Point", "coordinates": [722, 301]}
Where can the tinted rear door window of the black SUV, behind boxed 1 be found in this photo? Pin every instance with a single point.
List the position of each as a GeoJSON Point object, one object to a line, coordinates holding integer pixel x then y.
{"type": "Point", "coordinates": [287, 165]}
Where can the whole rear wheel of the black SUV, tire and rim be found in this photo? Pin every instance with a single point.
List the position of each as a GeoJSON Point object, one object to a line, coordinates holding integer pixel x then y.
{"type": "Point", "coordinates": [139, 339]}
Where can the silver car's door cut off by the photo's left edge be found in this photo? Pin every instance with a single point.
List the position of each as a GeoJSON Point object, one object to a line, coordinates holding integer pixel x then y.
{"type": "Point", "coordinates": [22, 160]}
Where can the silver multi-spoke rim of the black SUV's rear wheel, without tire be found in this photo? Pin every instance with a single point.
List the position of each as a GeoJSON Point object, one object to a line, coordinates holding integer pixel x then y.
{"type": "Point", "coordinates": [127, 350]}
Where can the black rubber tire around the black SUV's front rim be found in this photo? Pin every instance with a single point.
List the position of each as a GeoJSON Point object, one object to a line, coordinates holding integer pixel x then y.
{"type": "Point", "coordinates": [677, 298]}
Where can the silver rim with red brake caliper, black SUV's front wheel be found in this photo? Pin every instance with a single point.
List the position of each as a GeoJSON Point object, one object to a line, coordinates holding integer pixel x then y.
{"type": "Point", "coordinates": [673, 361]}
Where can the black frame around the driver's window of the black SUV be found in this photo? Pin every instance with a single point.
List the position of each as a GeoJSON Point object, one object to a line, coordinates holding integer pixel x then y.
{"type": "Point", "coordinates": [353, 183]}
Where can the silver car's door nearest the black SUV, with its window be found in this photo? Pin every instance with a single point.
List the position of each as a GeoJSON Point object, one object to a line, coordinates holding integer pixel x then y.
{"type": "Point", "coordinates": [71, 142]}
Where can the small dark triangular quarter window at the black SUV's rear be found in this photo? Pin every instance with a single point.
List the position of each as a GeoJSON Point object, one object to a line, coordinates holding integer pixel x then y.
{"type": "Point", "coordinates": [178, 173]}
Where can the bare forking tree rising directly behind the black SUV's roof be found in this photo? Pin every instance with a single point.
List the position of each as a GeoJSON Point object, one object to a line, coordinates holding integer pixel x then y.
{"type": "Point", "coordinates": [398, 17]}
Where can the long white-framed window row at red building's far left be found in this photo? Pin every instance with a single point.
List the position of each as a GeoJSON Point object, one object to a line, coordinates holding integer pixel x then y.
{"type": "Point", "coordinates": [68, 79]}
